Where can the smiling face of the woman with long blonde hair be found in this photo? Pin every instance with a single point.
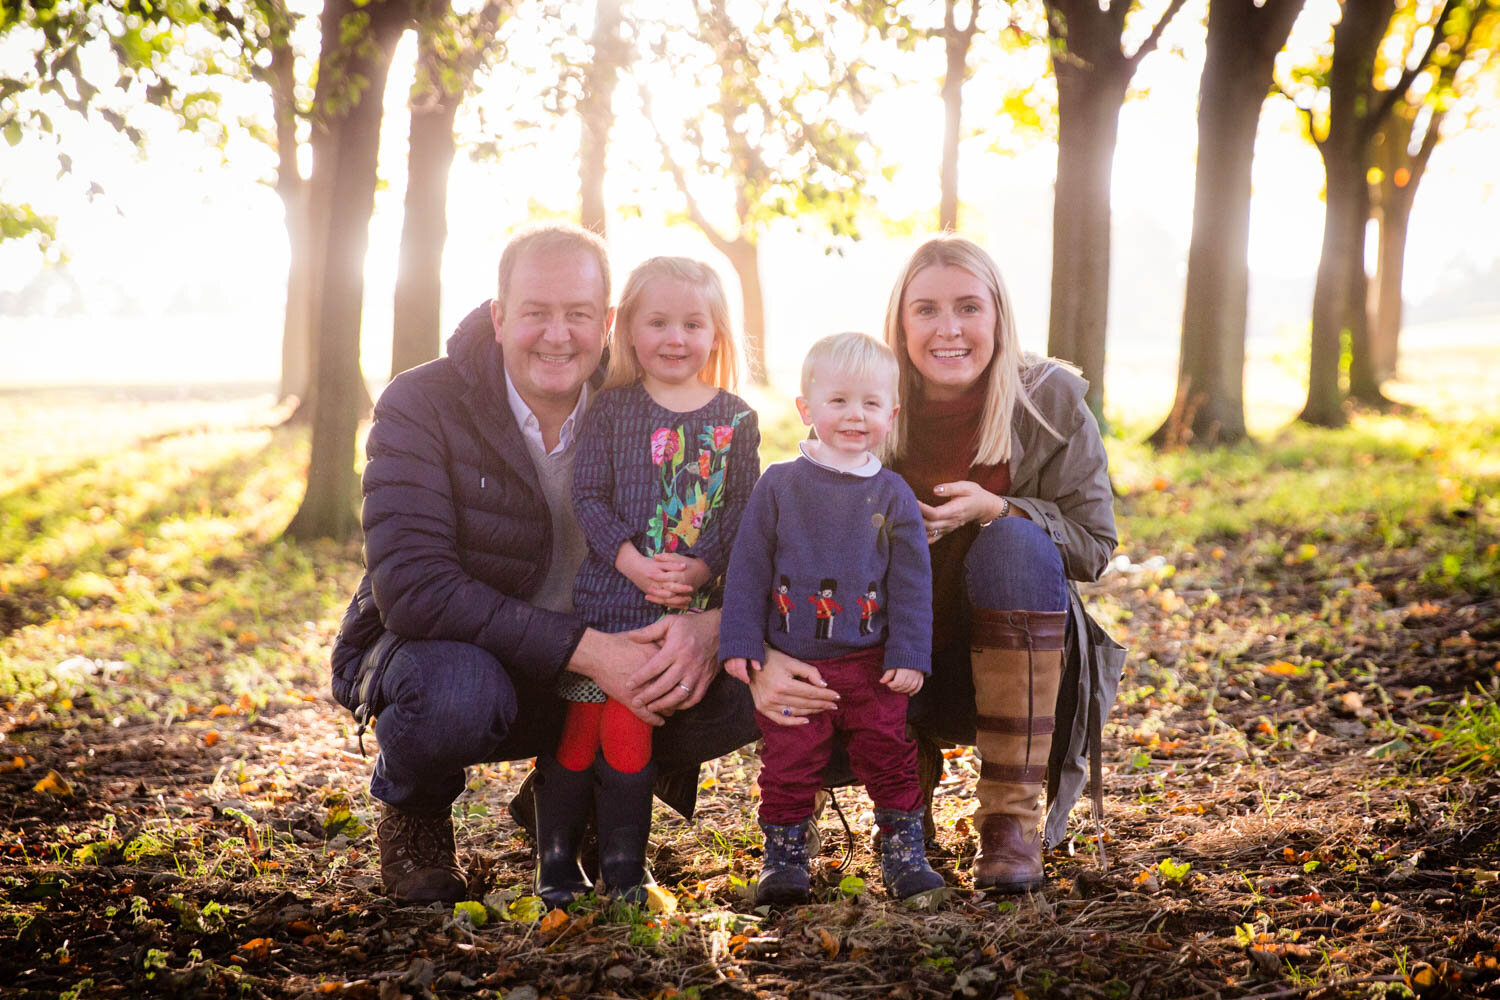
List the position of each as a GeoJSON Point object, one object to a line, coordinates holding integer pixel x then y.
{"type": "Point", "coordinates": [949, 317]}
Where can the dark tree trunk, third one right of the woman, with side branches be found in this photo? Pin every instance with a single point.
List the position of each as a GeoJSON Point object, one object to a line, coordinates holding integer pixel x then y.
{"type": "Point", "coordinates": [1357, 38]}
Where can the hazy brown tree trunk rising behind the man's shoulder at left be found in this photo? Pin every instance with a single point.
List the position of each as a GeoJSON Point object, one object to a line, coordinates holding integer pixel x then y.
{"type": "Point", "coordinates": [418, 335]}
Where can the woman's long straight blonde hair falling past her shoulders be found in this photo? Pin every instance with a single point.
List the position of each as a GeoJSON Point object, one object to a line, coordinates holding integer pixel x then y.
{"type": "Point", "coordinates": [1006, 376]}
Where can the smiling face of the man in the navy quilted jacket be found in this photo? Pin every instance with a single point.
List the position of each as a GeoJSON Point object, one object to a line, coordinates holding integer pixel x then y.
{"type": "Point", "coordinates": [553, 326]}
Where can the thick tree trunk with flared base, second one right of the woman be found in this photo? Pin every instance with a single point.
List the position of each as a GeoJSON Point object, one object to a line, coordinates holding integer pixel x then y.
{"type": "Point", "coordinates": [1243, 44]}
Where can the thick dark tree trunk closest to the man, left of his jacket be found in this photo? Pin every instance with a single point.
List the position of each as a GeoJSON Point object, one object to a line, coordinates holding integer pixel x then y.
{"type": "Point", "coordinates": [346, 161]}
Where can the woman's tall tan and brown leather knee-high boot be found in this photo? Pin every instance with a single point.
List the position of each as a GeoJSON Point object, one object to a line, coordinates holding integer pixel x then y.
{"type": "Point", "coordinates": [1018, 666]}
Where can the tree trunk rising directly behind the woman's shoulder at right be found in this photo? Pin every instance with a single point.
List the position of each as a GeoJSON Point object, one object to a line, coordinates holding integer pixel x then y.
{"type": "Point", "coordinates": [1088, 124]}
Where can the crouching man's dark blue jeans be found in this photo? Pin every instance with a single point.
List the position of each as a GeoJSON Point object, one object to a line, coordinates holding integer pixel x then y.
{"type": "Point", "coordinates": [449, 705]}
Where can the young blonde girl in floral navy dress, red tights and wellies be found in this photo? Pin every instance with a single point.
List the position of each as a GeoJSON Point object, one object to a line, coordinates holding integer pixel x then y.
{"type": "Point", "coordinates": [667, 461]}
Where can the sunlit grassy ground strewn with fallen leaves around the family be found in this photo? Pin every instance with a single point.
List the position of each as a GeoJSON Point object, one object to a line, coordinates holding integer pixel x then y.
{"type": "Point", "coordinates": [1300, 758]}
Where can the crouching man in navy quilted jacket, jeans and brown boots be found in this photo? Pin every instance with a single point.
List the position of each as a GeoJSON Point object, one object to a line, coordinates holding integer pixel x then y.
{"type": "Point", "coordinates": [464, 618]}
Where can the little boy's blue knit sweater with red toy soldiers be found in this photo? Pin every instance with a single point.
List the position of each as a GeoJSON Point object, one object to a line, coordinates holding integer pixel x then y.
{"type": "Point", "coordinates": [827, 563]}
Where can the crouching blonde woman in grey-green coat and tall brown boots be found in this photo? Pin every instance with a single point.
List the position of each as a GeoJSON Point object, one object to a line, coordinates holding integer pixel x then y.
{"type": "Point", "coordinates": [1009, 464]}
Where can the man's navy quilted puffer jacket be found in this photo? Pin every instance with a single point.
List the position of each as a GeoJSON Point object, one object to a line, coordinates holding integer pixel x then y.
{"type": "Point", "coordinates": [457, 530]}
